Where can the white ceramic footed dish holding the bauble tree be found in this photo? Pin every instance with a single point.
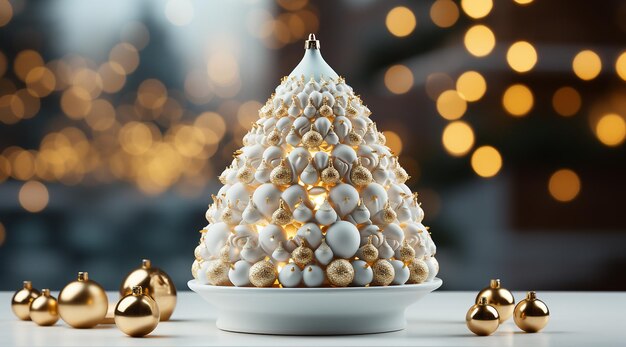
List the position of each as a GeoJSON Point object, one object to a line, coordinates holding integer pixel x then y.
{"type": "Point", "coordinates": [313, 311]}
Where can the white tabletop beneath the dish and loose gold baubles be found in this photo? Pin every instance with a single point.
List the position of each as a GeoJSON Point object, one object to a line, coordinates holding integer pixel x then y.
{"type": "Point", "coordinates": [577, 319]}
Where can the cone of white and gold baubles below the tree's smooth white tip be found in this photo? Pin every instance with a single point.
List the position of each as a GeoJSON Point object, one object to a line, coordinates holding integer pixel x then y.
{"type": "Point", "coordinates": [314, 198]}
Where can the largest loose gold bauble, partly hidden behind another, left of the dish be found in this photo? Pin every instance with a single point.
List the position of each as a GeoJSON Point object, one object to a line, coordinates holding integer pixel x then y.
{"type": "Point", "coordinates": [158, 284]}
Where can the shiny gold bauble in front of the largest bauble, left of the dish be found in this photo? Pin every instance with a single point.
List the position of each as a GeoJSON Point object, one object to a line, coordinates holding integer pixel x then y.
{"type": "Point", "coordinates": [137, 314]}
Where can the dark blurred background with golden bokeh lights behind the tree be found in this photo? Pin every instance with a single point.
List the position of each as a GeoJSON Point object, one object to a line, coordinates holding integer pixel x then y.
{"type": "Point", "coordinates": [116, 117]}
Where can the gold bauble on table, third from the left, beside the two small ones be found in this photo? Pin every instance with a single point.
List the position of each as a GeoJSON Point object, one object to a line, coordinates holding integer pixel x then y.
{"type": "Point", "coordinates": [83, 303]}
